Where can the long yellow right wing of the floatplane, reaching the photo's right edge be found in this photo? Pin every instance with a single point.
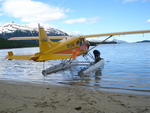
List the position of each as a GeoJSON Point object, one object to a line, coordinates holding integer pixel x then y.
{"type": "Point", "coordinates": [117, 33]}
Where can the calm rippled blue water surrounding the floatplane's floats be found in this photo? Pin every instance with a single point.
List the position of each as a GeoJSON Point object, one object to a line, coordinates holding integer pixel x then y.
{"type": "Point", "coordinates": [127, 68]}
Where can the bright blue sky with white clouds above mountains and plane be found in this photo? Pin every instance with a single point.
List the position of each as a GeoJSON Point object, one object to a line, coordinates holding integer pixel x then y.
{"type": "Point", "coordinates": [81, 17]}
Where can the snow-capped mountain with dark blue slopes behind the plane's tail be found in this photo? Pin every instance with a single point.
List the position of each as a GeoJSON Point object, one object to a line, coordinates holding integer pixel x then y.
{"type": "Point", "coordinates": [15, 30]}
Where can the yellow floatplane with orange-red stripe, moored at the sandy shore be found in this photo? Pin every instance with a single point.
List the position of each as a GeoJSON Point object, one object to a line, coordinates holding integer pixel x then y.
{"type": "Point", "coordinates": [69, 47]}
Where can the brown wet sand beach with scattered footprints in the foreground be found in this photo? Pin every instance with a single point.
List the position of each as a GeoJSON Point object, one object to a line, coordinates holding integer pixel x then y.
{"type": "Point", "coordinates": [40, 98]}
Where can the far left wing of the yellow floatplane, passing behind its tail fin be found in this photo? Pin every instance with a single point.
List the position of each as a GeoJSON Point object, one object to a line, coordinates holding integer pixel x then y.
{"type": "Point", "coordinates": [36, 38]}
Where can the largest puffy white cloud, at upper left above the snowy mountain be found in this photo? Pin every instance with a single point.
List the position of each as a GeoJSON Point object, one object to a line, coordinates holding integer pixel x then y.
{"type": "Point", "coordinates": [32, 11]}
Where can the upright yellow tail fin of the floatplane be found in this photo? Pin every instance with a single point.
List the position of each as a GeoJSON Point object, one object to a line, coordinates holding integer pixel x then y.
{"type": "Point", "coordinates": [44, 43]}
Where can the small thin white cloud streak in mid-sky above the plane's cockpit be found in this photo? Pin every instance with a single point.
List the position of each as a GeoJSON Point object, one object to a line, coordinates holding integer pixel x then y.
{"type": "Point", "coordinates": [83, 20]}
